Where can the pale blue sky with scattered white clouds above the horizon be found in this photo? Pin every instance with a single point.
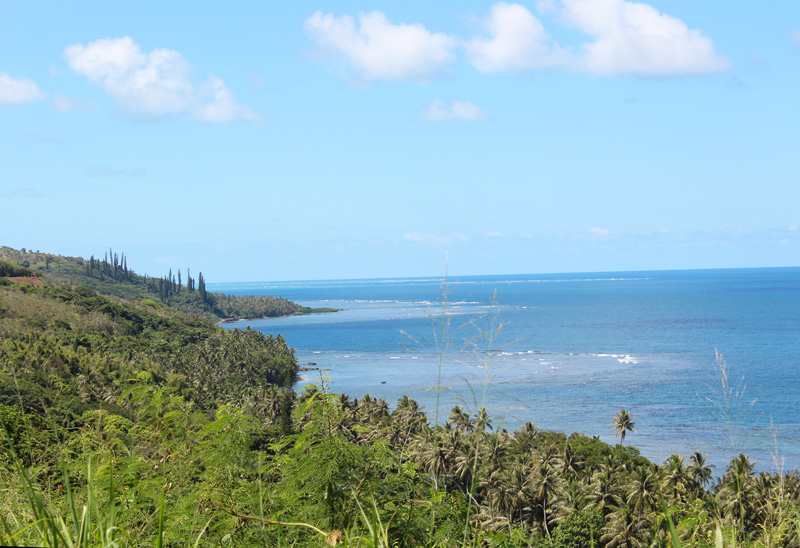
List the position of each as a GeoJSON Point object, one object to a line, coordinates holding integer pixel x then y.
{"type": "Point", "coordinates": [257, 141]}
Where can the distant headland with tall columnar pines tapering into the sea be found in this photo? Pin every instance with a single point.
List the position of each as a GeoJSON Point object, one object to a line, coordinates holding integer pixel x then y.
{"type": "Point", "coordinates": [111, 276]}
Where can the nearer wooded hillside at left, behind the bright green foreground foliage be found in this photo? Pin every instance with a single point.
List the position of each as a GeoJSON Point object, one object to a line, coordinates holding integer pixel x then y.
{"type": "Point", "coordinates": [70, 349]}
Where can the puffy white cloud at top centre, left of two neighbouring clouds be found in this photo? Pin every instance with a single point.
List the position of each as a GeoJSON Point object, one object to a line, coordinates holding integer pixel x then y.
{"type": "Point", "coordinates": [377, 49]}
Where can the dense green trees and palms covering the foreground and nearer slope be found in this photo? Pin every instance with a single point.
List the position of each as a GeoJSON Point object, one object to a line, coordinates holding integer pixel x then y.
{"type": "Point", "coordinates": [137, 424]}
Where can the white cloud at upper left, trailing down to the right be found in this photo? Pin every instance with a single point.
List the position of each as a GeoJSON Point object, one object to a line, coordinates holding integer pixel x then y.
{"type": "Point", "coordinates": [155, 83]}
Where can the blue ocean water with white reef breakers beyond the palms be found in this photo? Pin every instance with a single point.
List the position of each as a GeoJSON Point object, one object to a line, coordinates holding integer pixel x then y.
{"type": "Point", "coordinates": [567, 351]}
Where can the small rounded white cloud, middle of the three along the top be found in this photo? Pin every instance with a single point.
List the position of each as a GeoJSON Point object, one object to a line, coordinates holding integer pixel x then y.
{"type": "Point", "coordinates": [517, 41]}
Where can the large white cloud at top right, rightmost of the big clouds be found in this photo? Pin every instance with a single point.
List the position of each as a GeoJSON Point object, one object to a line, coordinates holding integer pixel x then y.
{"type": "Point", "coordinates": [634, 38]}
